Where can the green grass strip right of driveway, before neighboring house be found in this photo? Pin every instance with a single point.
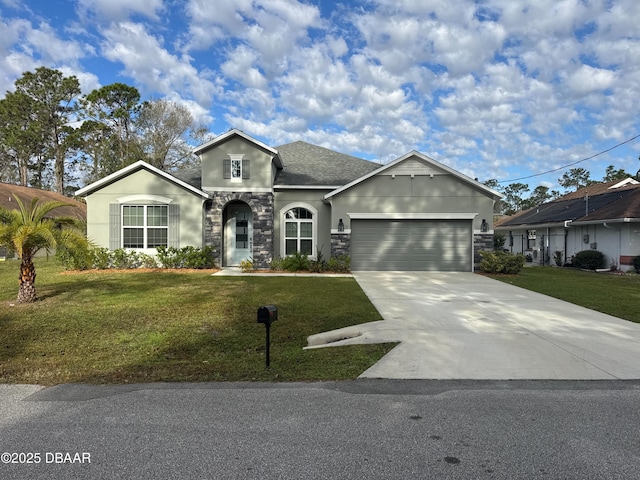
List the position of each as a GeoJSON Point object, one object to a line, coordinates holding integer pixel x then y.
{"type": "Point", "coordinates": [617, 295]}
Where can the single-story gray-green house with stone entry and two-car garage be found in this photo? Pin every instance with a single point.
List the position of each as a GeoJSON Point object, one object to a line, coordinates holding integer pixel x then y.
{"type": "Point", "coordinates": [253, 201]}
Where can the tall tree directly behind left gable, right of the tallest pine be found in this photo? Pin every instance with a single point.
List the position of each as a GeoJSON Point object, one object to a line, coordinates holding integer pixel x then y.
{"type": "Point", "coordinates": [113, 109]}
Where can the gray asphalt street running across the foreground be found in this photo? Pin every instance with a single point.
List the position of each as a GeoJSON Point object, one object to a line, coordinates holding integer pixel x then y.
{"type": "Point", "coordinates": [360, 429]}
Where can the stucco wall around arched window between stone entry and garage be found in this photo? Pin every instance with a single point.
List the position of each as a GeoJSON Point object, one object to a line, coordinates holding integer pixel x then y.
{"type": "Point", "coordinates": [313, 198]}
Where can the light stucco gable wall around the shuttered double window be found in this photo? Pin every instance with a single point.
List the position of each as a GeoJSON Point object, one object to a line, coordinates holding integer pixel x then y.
{"type": "Point", "coordinates": [143, 184]}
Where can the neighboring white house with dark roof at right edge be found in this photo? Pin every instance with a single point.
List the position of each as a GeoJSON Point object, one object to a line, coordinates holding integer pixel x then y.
{"type": "Point", "coordinates": [603, 216]}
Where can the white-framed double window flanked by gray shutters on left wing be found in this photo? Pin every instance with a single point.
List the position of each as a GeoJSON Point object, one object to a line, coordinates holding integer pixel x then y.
{"type": "Point", "coordinates": [145, 226]}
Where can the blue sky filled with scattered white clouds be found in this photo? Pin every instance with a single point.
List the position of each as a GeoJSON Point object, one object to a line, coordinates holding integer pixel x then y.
{"type": "Point", "coordinates": [494, 88]}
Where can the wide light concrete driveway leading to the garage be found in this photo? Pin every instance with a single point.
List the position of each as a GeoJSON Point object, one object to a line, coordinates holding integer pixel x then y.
{"type": "Point", "coordinates": [466, 326]}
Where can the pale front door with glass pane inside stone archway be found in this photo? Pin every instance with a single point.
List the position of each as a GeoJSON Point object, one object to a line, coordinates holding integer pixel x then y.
{"type": "Point", "coordinates": [238, 233]}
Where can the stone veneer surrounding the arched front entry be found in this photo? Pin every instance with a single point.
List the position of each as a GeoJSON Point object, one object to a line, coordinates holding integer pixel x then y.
{"type": "Point", "coordinates": [263, 217]}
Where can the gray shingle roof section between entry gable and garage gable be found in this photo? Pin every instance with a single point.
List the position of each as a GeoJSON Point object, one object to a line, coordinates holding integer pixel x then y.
{"type": "Point", "coordinates": [307, 164]}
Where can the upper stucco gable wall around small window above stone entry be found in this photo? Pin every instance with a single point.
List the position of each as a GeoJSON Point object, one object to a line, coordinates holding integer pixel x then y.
{"type": "Point", "coordinates": [261, 168]}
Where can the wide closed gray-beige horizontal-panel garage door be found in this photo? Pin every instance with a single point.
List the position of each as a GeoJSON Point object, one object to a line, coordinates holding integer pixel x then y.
{"type": "Point", "coordinates": [412, 245]}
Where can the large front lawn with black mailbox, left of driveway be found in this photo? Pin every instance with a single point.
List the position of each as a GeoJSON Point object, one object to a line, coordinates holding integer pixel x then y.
{"type": "Point", "coordinates": [106, 327]}
